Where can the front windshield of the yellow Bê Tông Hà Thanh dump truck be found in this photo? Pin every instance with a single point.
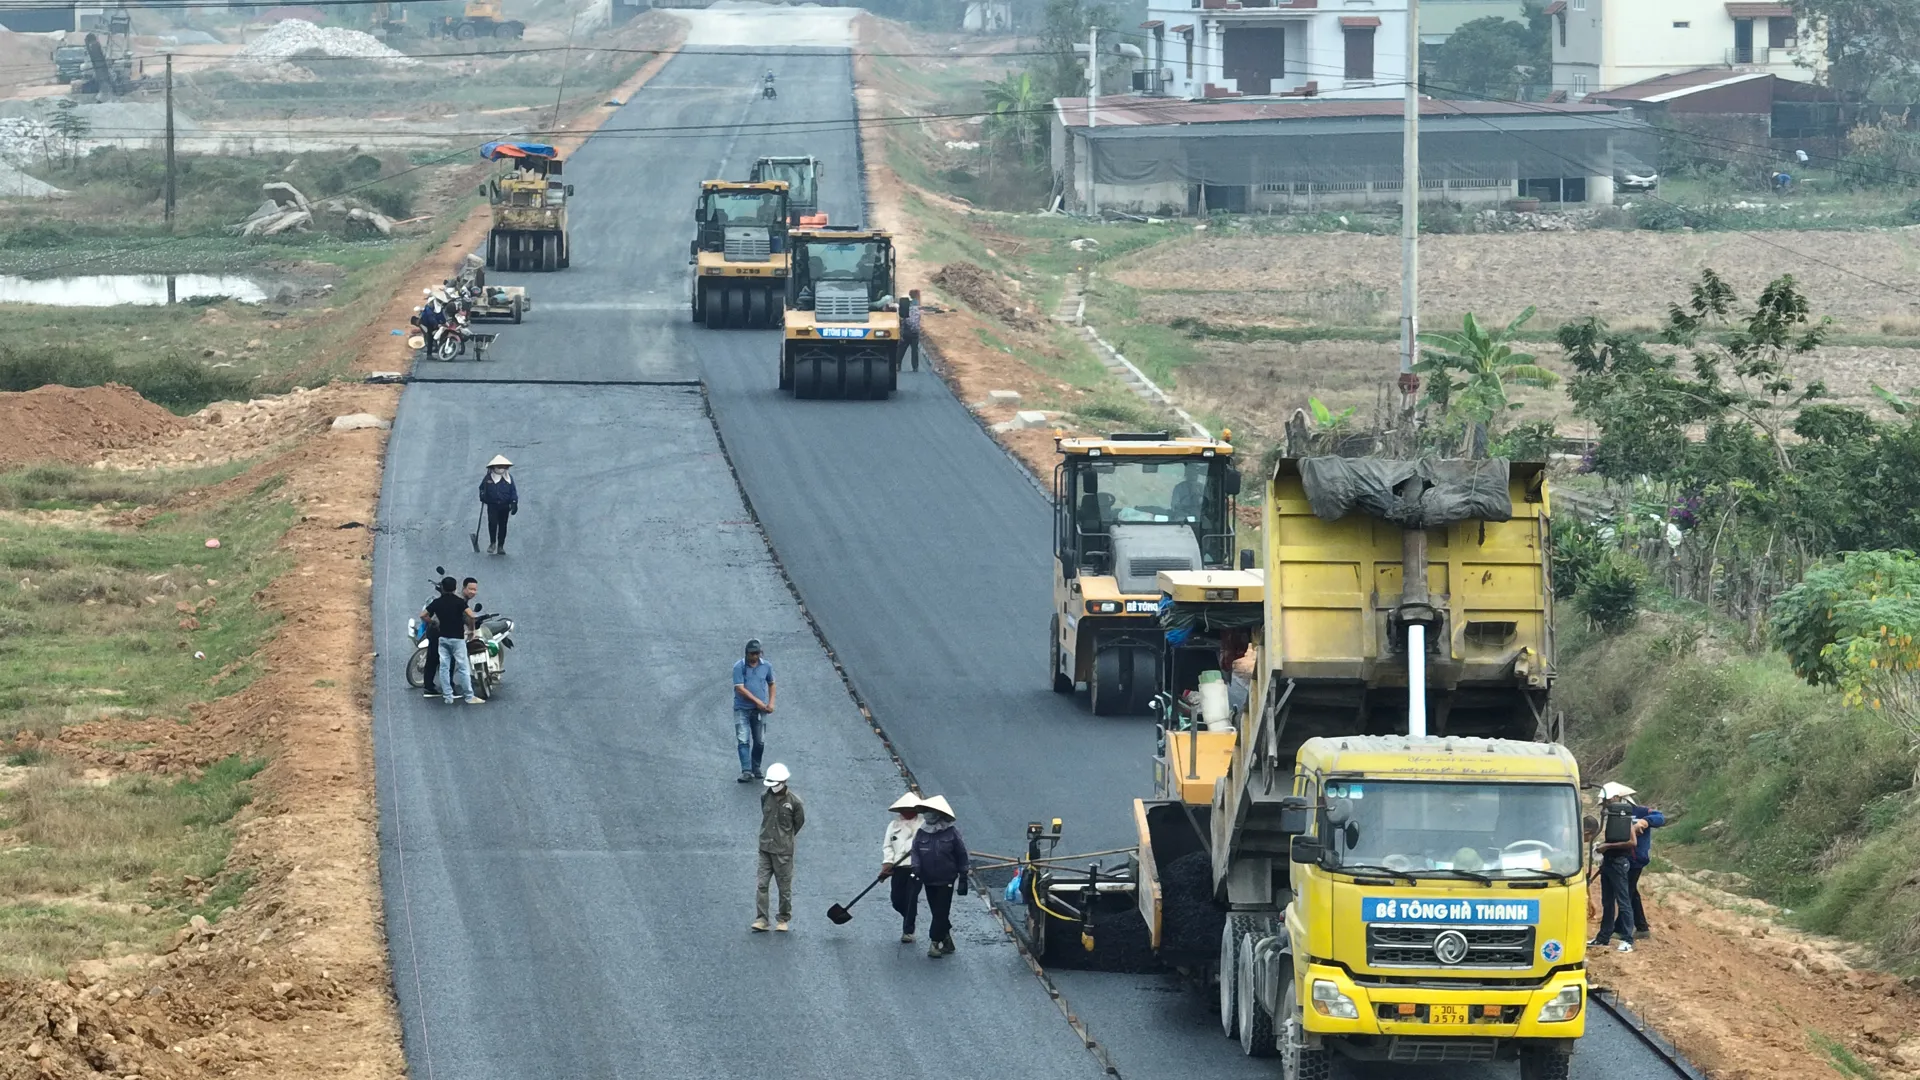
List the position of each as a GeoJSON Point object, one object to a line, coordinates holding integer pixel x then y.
{"type": "Point", "coordinates": [1458, 829]}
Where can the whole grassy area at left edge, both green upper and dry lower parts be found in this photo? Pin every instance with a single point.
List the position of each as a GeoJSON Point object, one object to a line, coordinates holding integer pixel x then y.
{"type": "Point", "coordinates": [105, 622]}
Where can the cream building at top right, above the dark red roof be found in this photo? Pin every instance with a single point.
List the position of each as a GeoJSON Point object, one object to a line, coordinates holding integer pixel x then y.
{"type": "Point", "coordinates": [1602, 45]}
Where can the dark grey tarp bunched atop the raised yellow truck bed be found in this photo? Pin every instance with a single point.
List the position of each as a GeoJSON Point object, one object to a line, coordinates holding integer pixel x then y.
{"type": "Point", "coordinates": [1447, 491]}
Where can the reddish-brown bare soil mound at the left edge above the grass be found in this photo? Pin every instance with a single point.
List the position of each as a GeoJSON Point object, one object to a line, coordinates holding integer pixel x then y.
{"type": "Point", "coordinates": [76, 426]}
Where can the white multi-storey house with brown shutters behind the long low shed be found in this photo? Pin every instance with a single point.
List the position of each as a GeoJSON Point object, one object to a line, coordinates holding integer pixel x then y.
{"type": "Point", "coordinates": [1224, 49]}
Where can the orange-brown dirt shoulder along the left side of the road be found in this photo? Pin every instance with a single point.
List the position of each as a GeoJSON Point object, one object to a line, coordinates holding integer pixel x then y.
{"type": "Point", "coordinates": [293, 981]}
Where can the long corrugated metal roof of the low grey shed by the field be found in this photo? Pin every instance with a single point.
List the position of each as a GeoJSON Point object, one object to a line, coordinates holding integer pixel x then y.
{"type": "Point", "coordinates": [1161, 112]}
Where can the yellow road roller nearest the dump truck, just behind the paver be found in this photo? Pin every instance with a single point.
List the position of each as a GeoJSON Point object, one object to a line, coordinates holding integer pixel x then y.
{"type": "Point", "coordinates": [1126, 510]}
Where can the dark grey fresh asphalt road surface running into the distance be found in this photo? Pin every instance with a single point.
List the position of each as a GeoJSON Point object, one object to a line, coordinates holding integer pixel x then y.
{"type": "Point", "coordinates": [569, 868]}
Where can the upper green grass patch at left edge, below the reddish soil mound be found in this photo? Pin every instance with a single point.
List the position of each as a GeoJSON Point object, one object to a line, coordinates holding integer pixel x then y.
{"type": "Point", "coordinates": [97, 624]}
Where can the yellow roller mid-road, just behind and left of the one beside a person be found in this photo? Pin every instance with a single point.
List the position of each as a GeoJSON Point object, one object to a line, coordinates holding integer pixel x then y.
{"type": "Point", "coordinates": [740, 255]}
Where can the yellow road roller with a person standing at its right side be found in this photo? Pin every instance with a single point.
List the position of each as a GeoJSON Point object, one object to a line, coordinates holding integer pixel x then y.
{"type": "Point", "coordinates": [842, 324]}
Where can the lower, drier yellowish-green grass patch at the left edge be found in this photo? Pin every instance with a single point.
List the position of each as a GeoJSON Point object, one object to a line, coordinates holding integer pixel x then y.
{"type": "Point", "coordinates": [95, 870]}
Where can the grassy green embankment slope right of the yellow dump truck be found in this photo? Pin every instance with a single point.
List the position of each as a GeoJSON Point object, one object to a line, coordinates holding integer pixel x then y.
{"type": "Point", "coordinates": [1762, 775]}
